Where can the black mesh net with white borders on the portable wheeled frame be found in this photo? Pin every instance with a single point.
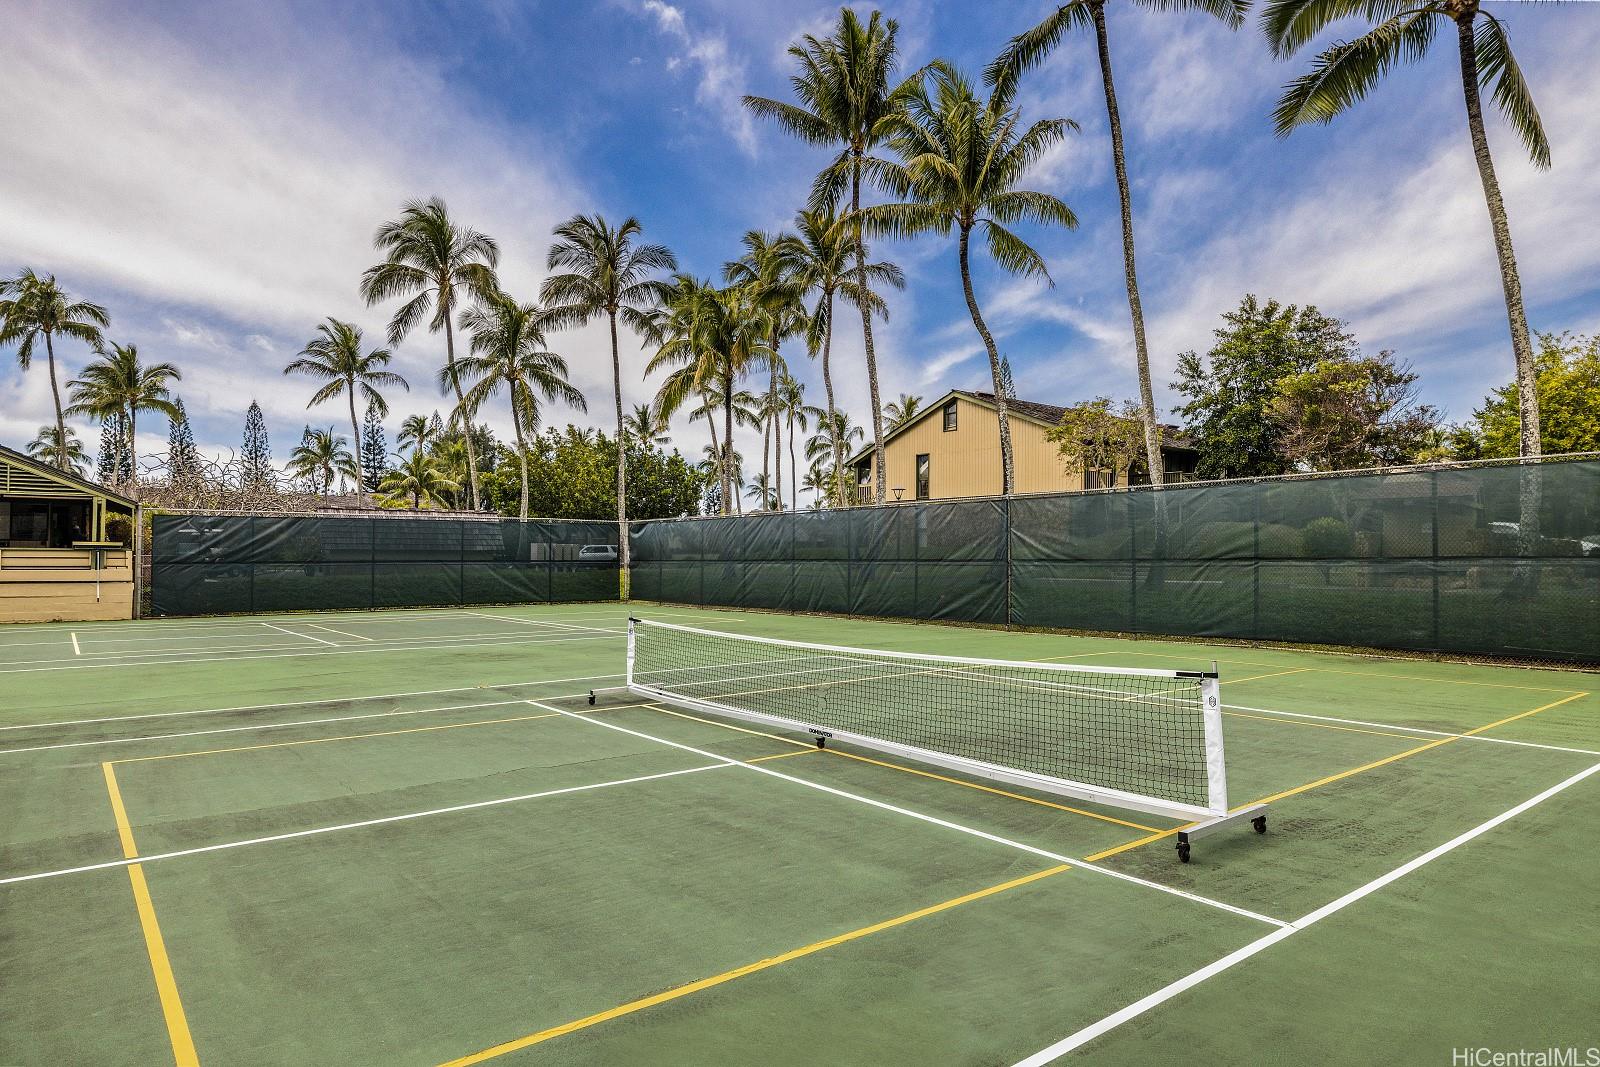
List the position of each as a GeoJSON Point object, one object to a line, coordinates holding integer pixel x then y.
{"type": "Point", "coordinates": [1140, 733]}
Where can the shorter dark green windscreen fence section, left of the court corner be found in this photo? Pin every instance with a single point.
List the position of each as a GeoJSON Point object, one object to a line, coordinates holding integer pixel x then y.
{"type": "Point", "coordinates": [241, 564]}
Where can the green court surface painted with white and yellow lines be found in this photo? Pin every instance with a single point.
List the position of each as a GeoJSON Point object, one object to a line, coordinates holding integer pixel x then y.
{"type": "Point", "coordinates": [409, 837]}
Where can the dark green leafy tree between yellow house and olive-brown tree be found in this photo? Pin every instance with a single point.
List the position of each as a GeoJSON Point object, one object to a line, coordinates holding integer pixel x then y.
{"type": "Point", "coordinates": [1230, 390]}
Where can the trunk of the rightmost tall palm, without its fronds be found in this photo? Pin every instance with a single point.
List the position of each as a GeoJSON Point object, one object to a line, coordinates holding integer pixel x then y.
{"type": "Point", "coordinates": [1521, 345]}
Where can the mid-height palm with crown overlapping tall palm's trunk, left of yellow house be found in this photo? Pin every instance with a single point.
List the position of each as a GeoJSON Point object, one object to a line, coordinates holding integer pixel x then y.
{"type": "Point", "coordinates": [823, 254]}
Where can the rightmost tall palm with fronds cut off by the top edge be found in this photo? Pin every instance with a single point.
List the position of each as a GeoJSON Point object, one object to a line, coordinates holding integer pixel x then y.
{"type": "Point", "coordinates": [1348, 71]}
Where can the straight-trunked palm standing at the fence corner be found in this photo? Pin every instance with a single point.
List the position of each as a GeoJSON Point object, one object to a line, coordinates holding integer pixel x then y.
{"type": "Point", "coordinates": [607, 273]}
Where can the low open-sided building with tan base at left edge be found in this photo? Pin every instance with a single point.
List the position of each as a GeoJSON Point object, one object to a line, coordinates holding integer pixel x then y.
{"type": "Point", "coordinates": [57, 561]}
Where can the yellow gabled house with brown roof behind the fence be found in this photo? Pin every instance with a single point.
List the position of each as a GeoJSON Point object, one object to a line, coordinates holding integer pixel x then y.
{"type": "Point", "coordinates": [953, 450]}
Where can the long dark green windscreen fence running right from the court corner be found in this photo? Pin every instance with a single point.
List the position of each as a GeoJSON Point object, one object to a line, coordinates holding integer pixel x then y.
{"type": "Point", "coordinates": [1478, 559]}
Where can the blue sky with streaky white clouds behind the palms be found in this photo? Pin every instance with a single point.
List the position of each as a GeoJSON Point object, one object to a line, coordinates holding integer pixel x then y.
{"type": "Point", "coordinates": [214, 175]}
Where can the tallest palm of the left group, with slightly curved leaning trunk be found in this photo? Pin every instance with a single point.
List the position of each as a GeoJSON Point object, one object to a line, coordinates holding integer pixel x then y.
{"type": "Point", "coordinates": [433, 262]}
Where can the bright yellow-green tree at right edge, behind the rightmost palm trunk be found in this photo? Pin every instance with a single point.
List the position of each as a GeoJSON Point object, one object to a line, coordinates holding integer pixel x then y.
{"type": "Point", "coordinates": [1569, 391]}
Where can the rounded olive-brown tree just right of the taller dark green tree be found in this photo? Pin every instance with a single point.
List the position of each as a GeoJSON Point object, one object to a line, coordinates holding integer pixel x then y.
{"type": "Point", "coordinates": [1348, 414]}
